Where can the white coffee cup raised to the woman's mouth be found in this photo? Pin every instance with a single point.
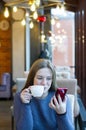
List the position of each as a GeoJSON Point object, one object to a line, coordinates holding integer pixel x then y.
{"type": "Point", "coordinates": [37, 90]}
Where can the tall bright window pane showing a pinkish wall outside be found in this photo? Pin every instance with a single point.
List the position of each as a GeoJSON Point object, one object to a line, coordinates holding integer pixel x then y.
{"type": "Point", "coordinates": [63, 46]}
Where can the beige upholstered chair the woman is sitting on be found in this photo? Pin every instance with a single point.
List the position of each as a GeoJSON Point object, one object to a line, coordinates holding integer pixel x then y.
{"type": "Point", "coordinates": [69, 83]}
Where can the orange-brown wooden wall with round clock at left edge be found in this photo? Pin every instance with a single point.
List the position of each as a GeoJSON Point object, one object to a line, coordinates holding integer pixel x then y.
{"type": "Point", "coordinates": [5, 45]}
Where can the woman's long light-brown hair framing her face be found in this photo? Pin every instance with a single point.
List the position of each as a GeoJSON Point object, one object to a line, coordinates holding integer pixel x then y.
{"type": "Point", "coordinates": [39, 64]}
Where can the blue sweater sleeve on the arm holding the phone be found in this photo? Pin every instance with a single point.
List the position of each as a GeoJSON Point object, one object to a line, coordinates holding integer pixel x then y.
{"type": "Point", "coordinates": [65, 121]}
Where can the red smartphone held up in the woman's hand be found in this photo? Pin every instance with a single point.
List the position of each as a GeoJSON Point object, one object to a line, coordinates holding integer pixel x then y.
{"type": "Point", "coordinates": [61, 92]}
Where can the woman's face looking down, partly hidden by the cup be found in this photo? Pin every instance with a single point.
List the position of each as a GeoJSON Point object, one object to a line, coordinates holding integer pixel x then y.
{"type": "Point", "coordinates": [43, 77]}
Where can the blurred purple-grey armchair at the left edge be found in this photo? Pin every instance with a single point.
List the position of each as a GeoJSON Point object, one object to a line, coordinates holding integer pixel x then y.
{"type": "Point", "coordinates": [5, 91]}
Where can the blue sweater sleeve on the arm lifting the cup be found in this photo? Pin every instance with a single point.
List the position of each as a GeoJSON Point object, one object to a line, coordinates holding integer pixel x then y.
{"type": "Point", "coordinates": [22, 114]}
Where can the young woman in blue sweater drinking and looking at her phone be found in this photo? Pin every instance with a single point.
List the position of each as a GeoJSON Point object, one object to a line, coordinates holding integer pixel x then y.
{"type": "Point", "coordinates": [45, 112]}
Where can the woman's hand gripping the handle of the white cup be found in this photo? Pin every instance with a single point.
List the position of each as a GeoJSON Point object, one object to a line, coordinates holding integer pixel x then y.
{"type": "Point", "coordinates": [25, 95]}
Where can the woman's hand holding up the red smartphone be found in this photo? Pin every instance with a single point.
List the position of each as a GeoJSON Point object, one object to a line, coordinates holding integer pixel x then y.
{"type": "Point", "coordinates": [59, 106]}
